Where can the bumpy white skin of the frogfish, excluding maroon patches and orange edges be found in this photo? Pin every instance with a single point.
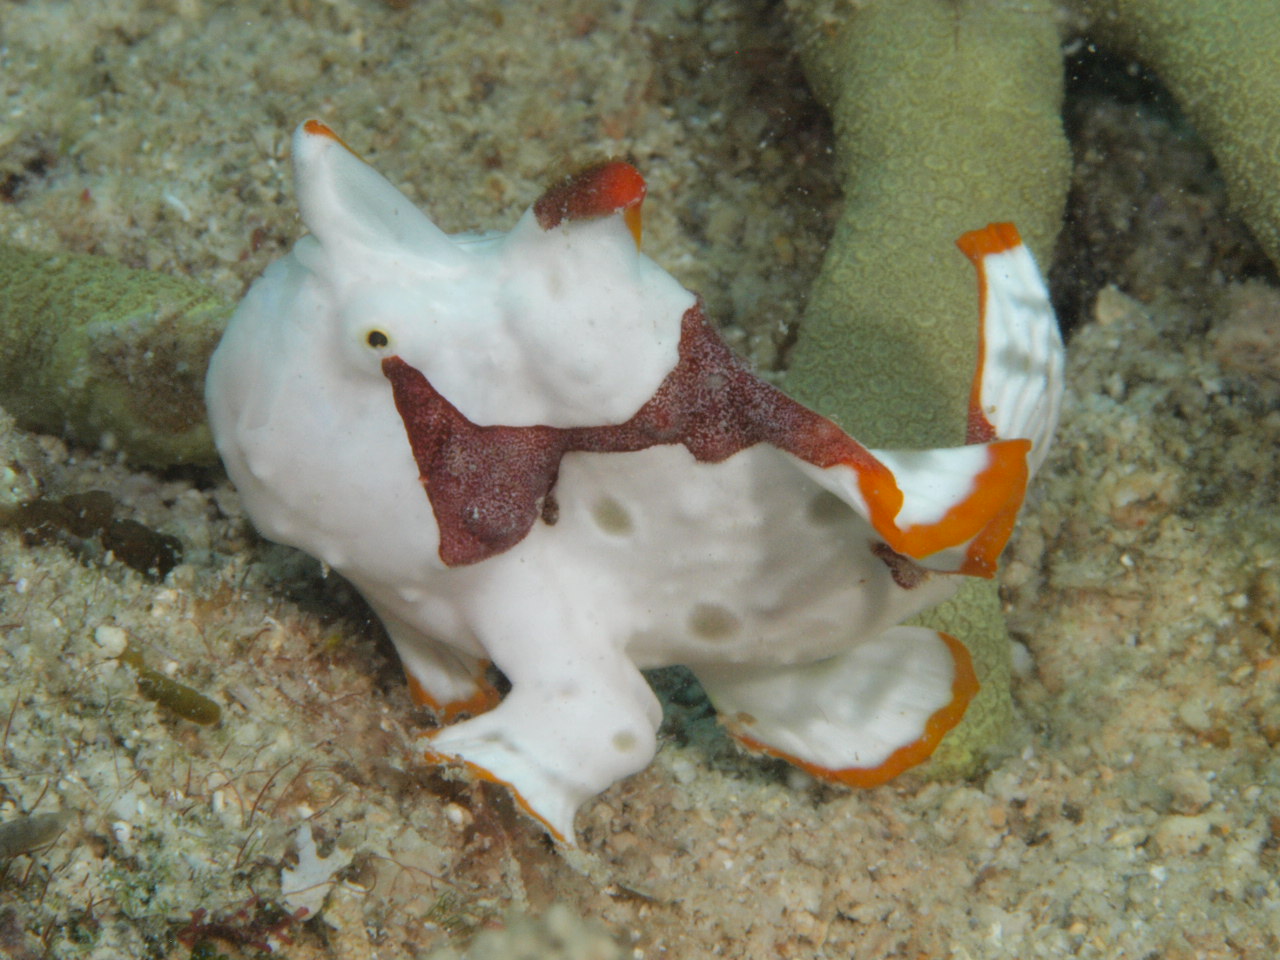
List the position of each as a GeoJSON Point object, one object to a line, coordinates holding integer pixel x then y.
{"type": "Point", "coordinates": [757, 573]}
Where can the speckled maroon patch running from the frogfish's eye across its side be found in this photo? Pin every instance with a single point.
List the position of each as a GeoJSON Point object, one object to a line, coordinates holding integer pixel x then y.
{"type": "Point", "coordinates": [490, 484]}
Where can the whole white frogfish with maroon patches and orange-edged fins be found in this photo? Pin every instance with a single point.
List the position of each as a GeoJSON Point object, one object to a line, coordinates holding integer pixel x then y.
{"type": "Point", "coordinates": [531, 450]}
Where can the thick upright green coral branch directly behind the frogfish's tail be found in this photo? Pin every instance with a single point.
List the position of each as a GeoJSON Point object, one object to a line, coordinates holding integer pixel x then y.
{"type": "Point", "coordinates": [948, 117]}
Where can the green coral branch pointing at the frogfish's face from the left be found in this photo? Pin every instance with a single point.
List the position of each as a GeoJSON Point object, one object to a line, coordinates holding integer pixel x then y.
{"type": "Point", "coordinates": [107, 355]}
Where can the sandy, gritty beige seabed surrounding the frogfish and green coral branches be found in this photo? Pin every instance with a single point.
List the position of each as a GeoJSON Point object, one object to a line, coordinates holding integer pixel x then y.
{"type": "Point", "coordinates": [1140, 815]}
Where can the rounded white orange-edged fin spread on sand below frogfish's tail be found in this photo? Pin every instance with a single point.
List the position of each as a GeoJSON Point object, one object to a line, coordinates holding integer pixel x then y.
{"type": "Point", "coordinates": [862, 717]}
